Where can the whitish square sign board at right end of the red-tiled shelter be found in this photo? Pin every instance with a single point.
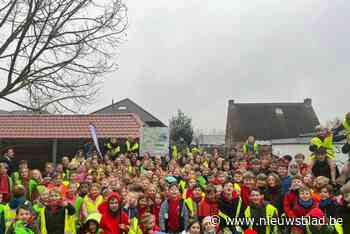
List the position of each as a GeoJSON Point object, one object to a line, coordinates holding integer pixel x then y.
{"type": "Point", "coordinates": [154, 141]}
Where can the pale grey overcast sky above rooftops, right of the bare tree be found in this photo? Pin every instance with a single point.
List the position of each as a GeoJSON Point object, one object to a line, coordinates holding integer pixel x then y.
{"type": "Point", "coordinates": [198, 54]}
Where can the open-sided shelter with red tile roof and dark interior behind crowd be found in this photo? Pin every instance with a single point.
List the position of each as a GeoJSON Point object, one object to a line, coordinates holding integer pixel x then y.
{"type": "Point", "coordinates": [42, 138]}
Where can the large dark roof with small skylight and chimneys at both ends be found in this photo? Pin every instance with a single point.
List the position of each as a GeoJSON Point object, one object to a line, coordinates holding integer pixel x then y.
{"type": "Point", "coordinates": [267, 121]}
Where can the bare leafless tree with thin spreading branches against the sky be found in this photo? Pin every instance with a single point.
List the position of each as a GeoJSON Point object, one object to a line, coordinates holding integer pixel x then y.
{"type": "Point", "coordinates": [55, 51]}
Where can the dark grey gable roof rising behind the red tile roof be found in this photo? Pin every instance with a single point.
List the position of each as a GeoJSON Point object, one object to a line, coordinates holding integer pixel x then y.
{"type": "Point", "coordinates": [128, 106]}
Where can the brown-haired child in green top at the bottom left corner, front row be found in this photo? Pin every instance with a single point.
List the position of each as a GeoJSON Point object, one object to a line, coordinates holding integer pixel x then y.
{"type": "Point", "coordinates": [24, 222]}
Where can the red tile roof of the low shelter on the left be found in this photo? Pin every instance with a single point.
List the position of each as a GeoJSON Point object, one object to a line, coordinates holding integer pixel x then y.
{"type": "Point", "coordinates": [68, 126]}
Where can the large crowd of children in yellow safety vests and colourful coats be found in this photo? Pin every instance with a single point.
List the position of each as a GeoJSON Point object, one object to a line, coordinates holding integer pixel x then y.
{"type": "Point", "coordinates": [196, 192]}
